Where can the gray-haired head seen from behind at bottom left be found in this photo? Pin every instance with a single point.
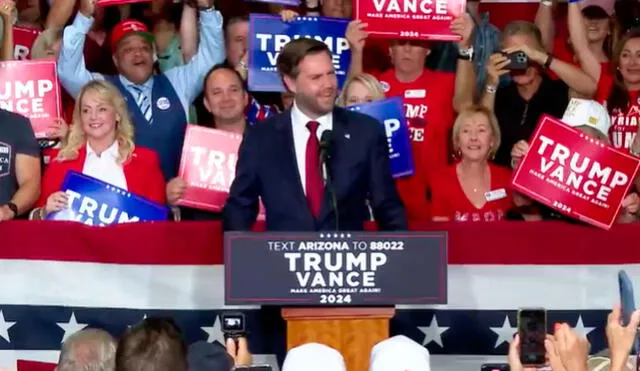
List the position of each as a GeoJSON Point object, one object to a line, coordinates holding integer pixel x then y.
{"type": "Point", "coordinates": [88, 350]}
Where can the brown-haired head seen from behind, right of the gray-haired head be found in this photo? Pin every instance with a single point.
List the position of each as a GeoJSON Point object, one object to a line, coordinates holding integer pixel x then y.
{"type": "Point", "coordinates": [155, 344]}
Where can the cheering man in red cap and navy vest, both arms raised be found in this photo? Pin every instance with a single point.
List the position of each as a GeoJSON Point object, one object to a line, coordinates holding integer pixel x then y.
{"type": "Point", "coordinates": [159, 104]}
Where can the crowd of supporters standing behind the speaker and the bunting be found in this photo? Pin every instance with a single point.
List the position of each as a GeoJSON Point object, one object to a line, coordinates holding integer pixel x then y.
{"type": "Point", "coordinates": [134, 75]}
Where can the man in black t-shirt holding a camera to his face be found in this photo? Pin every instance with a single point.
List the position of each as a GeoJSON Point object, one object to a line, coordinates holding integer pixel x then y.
{"type": "Point", "coordinates": [531, 93]}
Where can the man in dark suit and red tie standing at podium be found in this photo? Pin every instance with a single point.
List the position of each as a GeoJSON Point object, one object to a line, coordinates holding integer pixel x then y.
{"type": "Point", "coordinates": [280, 162]}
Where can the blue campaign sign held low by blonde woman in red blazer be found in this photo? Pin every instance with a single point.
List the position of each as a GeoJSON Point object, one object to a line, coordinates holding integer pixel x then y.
{"type": "Point", "coordinates": [94, 202]}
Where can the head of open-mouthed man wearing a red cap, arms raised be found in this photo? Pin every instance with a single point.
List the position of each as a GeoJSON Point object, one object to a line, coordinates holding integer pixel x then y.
{"type": "Point", "coordinates": [132, 47]}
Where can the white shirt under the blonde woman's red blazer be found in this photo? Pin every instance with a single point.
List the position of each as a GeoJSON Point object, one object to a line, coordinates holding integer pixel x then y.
{"type": "Point", "coordinates": [105, 166]}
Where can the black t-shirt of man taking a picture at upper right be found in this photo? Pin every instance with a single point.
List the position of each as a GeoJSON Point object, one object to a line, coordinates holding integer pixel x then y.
{"type": "Point", "coordinates": [518, 118]}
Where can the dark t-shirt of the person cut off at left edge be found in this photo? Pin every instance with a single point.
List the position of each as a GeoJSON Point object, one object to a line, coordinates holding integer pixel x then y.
{"type": "Point", "coordinates": [16, 137]}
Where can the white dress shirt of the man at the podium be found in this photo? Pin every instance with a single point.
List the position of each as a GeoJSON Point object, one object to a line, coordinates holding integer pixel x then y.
{"type": "Point", "coordinates": [301, 135]}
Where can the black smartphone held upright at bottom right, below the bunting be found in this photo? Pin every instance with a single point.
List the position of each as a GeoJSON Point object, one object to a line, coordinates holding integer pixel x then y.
{"type": "Point", "coordinates": [532, 329]}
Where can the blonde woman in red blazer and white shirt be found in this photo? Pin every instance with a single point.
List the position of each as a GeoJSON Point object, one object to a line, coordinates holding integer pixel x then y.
{"type": "Point", "coordinates": [100, 144]}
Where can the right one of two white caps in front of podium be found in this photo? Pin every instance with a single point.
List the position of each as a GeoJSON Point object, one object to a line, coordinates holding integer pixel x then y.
{"type": "Point", "coordinates": [399, 353]}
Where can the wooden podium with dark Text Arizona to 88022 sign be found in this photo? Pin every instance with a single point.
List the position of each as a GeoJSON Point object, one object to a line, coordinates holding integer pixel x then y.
{"type": "Point", "coordinates": [337, 289]}
